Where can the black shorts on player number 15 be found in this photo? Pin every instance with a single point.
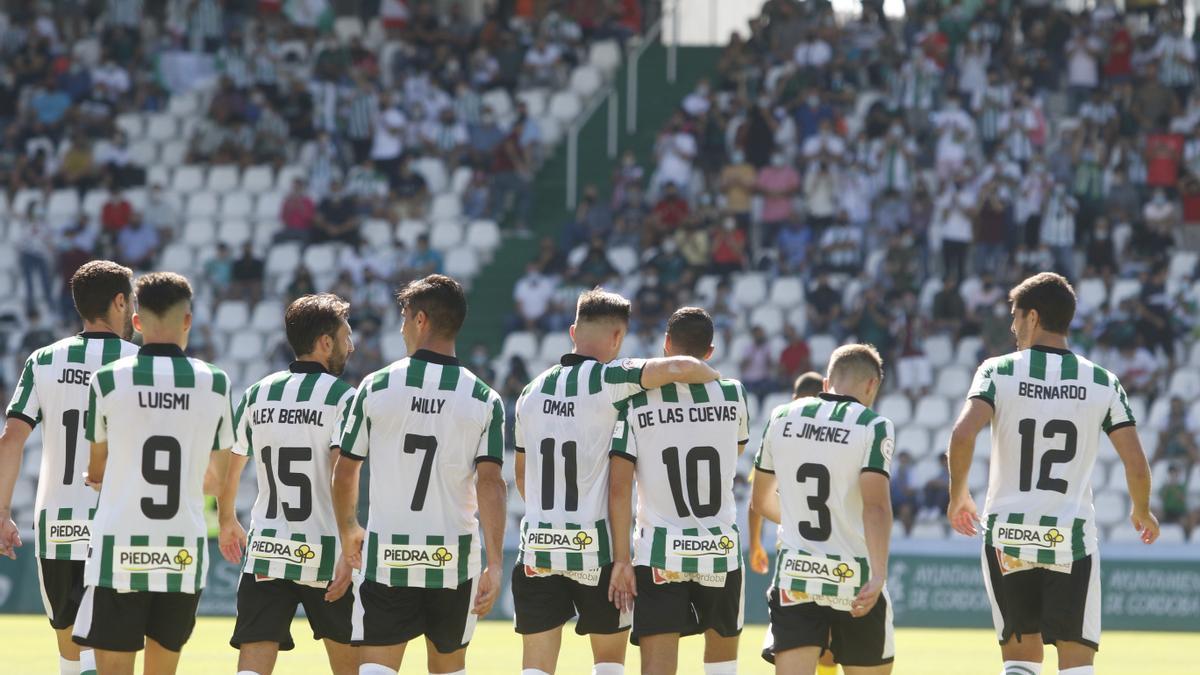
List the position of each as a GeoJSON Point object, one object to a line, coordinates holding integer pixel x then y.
{"type": "Point", "coordinates": [266, 611]}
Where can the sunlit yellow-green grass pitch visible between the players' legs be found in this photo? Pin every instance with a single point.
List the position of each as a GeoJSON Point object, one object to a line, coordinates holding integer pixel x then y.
{"type": "Point", "coordinates": [28, 647]}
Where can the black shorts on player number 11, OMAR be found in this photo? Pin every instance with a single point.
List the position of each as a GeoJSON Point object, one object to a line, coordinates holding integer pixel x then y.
{"type": "Point", "coordinates": [544, 604]}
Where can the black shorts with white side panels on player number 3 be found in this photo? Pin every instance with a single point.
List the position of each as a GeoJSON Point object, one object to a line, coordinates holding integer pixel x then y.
{"type": "Point", "coordinates": [866, 642]}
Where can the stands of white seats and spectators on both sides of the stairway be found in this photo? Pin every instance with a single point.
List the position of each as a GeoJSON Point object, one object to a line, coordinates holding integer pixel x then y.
{"type": "Point", "coordinates": [837, 178]}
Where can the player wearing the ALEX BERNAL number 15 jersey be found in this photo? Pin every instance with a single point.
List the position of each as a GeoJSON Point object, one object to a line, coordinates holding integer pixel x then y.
{"type": "Point", "coordinates": [287, 423]}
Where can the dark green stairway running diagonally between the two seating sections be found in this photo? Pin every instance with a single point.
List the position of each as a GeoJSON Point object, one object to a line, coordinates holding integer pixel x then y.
{"type": "Point", "coordinates": [491, 294]}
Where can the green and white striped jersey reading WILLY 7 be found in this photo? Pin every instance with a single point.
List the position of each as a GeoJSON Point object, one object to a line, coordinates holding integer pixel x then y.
{"type": "Point", "coordinates": [425, 422]}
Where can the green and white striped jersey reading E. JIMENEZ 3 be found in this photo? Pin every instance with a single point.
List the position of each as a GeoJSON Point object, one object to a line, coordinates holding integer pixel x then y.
{"type": "Point", "coordinates": [819, 447]}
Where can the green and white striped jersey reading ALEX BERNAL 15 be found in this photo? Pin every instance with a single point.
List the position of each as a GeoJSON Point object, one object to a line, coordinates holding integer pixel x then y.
{"type": "Point", "coordinates": [287, 423]}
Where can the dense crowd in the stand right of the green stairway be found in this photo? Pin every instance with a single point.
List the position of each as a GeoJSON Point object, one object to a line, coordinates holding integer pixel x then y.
{"type": "Point", "coordinates": [910, 172]}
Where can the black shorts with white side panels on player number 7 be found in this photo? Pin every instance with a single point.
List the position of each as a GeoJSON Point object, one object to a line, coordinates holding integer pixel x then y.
{"type": "Point", "coordinates": [393, 616]}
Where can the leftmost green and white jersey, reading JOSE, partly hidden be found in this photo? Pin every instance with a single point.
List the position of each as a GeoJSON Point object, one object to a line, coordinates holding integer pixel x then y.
{"type": "Point", "coordinates": [53, 389]}
